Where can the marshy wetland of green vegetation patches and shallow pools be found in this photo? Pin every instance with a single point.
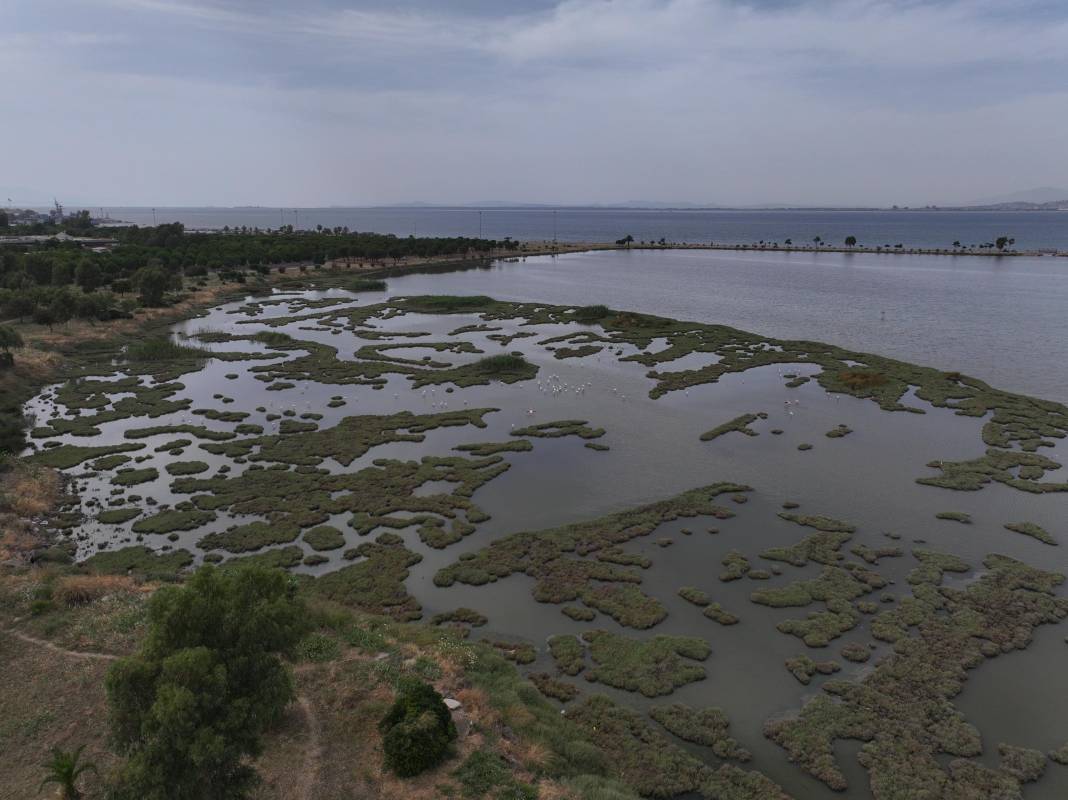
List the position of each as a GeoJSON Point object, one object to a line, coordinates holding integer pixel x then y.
{"type": "Point", "coordinates": [727, 557]}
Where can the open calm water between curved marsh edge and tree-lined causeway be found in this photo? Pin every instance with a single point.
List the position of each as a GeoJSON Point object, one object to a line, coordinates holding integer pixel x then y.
{"type": "Point", "coordinates": [1001, 320]}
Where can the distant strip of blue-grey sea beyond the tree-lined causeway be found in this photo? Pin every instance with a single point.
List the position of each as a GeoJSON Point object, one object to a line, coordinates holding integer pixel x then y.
{"type": "Point", "coordinates": [1032, 230]}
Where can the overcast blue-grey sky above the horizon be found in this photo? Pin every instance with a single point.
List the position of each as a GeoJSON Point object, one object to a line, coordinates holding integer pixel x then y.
{"type": "Point", "coordinates": [347, 103]}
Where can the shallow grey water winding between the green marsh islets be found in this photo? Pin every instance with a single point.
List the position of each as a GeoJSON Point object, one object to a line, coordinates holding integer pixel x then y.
{"type": "Point", "coordinates": [867, 478]}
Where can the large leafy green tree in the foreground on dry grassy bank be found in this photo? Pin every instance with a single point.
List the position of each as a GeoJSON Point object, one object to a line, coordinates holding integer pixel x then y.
{"type": "Point", "coordinates": [191, 709]}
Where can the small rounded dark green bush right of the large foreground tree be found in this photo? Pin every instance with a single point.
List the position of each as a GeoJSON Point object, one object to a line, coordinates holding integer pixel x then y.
{"type": "Point", "coordinates": [418, 731]}
